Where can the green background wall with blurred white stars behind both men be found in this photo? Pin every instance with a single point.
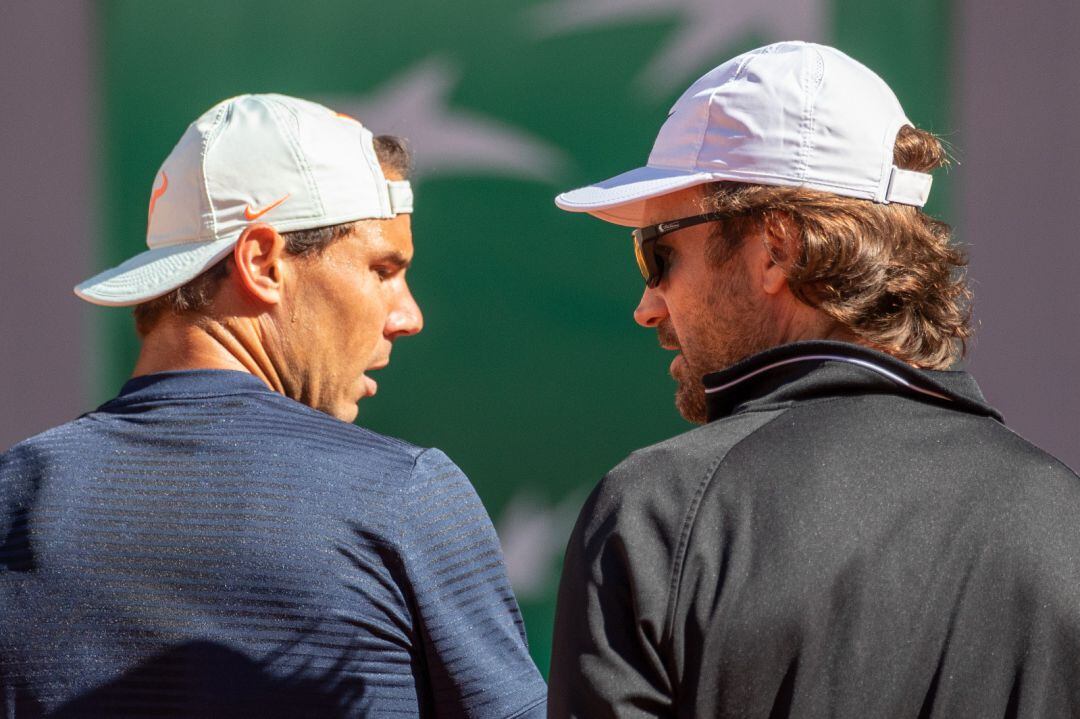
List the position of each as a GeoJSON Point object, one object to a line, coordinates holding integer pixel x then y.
{"type": "Point", "coordinates": [531, 373]}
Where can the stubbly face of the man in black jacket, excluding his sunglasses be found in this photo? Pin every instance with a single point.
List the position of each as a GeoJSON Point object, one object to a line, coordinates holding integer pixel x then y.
{"type": "Point", "coordinates": [714, 316]}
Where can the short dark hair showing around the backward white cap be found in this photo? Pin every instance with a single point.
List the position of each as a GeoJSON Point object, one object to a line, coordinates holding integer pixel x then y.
{"type": "Point", "coordinates": [397, 161]}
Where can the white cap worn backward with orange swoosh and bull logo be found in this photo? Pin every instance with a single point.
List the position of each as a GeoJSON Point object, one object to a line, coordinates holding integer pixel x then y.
{"type": "Point", "coordinates": [271, 159]}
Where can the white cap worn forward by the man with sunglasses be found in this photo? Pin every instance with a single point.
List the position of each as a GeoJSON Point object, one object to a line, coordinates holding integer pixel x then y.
{"type": "Point", "coordinates": [792, 114]}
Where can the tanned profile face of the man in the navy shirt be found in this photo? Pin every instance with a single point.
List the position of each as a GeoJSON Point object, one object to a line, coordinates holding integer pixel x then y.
{"type": "Point", "coordinates": [348, 306]}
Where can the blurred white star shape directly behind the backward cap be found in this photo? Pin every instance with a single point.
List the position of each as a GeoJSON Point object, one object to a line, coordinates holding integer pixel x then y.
{"type": "Point", "coordinates": [447, 141]}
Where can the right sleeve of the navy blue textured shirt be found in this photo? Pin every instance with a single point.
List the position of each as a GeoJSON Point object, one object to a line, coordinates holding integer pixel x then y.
{"type": "Point", "coordinates": [468, 622]}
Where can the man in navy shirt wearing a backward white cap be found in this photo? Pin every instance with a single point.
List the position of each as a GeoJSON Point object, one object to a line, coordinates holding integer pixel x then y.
{"type": "Point", "coordinates": [221, 540]}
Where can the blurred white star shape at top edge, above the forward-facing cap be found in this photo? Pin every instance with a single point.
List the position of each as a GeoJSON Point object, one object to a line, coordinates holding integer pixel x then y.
{"type": "Point", "coordinates": [707, 28]}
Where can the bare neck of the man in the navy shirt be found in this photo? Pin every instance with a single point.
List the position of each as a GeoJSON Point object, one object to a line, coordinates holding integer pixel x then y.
{"type": "Point", "coordinates": [177, 345]}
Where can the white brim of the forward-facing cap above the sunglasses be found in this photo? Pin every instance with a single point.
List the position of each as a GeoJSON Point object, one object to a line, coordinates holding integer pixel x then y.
{"type": "Point", "coordinates": [622, 199]}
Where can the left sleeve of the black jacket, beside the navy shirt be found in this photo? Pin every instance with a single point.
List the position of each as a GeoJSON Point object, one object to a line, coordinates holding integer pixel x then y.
{"type": "Point", "coordinates": [607, 658]}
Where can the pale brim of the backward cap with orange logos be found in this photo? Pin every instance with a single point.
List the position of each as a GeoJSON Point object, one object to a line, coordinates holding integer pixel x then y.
{"type": "Point", "coordinates": [153, 274]}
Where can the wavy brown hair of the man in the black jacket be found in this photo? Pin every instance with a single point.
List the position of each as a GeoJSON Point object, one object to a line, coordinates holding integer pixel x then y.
{"type": "Point", "coordinates": [886, 273]}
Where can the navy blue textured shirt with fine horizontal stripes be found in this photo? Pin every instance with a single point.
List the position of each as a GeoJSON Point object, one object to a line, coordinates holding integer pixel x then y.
{"type": "Point", "coordinates": [202, 547]}
